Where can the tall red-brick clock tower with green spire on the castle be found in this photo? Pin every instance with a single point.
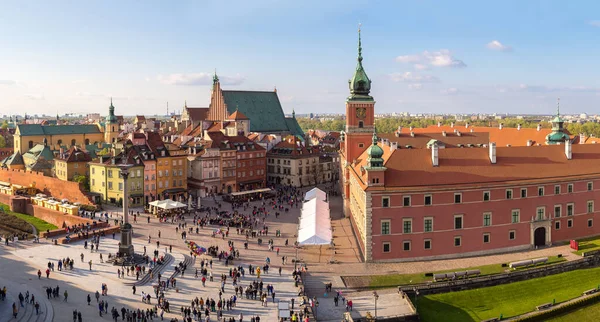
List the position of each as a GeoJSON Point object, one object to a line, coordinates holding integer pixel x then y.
{"type": "Point", "coordinates": [360, 111]}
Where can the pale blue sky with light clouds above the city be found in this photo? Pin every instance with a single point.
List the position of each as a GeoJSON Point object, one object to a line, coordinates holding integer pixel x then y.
{"type": "Point", "coordinates": [422, 56]}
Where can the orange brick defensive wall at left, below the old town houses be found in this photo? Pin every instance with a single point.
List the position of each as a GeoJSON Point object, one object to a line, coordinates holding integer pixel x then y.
{"type": "Point", "coordinates": [47, 185]}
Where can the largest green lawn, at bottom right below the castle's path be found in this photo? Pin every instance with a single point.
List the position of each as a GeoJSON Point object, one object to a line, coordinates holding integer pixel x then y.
{"type": "Point", "coordinates": [508, 299]}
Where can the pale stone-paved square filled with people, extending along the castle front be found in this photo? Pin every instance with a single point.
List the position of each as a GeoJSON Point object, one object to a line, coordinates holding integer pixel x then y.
{"type": "Point", "coordinates": [21, 262]}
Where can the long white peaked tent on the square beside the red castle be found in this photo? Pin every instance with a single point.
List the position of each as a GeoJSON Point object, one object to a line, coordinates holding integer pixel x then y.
{"type": "Point", "coordinates": [315, 223]}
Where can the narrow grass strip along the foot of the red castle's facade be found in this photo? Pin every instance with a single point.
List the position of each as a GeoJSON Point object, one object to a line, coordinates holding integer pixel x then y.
{"type": "Point", "coordinates": [393, 280]}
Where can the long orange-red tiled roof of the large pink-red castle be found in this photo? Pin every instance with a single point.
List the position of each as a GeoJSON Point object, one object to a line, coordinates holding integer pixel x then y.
{"type": "Point", "coordinates": [410, 168]}
